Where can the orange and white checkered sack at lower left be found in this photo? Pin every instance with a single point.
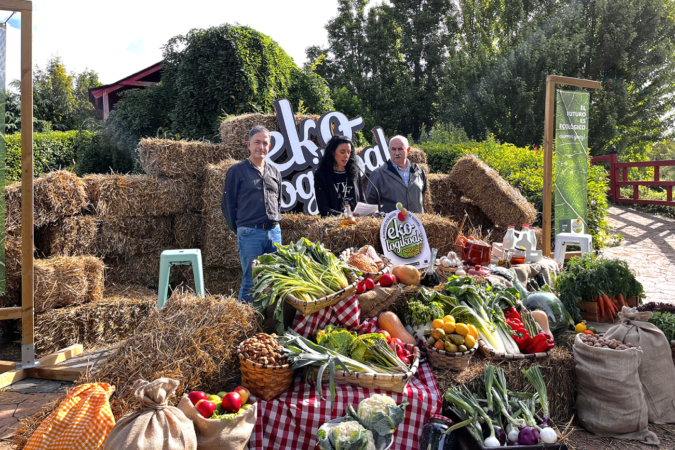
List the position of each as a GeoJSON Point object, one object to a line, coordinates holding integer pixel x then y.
{"type": "Point", "coordinates": [82, 421]}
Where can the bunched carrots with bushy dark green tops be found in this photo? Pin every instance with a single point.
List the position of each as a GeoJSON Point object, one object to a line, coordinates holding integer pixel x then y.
{"type": "Point", "coordinates": [586, 278]}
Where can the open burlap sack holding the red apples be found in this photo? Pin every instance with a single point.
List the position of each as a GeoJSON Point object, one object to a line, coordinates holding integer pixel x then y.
{"type": "Point", "coordinates": [216, 434]}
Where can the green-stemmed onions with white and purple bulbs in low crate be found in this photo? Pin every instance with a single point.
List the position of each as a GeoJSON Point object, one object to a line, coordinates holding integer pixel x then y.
{"type": "Point", "coordinates": [497, 417]}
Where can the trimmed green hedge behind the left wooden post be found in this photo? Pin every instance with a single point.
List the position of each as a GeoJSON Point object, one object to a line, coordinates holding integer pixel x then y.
{"type": "Point", "coordinates": [52, 150]}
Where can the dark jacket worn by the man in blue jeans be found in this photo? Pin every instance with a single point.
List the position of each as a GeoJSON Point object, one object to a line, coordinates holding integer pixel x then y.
{"type": "Point", "coordinates": [250, 199]}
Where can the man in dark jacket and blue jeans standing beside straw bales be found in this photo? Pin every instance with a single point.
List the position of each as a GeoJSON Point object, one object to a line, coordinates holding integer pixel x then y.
{"type": "Point", "coordinates": [251, 205]}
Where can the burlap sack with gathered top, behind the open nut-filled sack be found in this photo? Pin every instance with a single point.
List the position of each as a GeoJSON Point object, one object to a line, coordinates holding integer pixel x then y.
{"type": "Point", "coordinates": [657, 372]}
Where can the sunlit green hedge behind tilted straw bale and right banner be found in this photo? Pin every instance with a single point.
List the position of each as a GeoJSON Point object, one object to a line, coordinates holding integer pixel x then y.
{"type": "Point", "coordinates": [524, 169]}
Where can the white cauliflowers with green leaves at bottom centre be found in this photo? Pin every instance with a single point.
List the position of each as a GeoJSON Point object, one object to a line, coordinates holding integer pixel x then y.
{"type": "Point", "coordinates": [371, 426]}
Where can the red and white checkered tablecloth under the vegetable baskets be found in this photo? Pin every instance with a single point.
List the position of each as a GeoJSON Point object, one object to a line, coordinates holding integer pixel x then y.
{"type": "Point", "coordinates": [292, 420]}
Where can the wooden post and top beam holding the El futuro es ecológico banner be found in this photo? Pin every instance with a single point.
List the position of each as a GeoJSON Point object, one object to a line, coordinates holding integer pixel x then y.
{"type": "Point", "coordinates": [549, 135]}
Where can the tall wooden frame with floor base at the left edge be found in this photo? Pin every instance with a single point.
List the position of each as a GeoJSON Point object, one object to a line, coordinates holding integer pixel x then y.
{"type": "Point", "coordinates": [28, 367]}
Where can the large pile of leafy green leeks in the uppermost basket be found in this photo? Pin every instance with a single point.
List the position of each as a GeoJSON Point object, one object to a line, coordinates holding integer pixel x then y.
{"type": "Point", "coordinates": [305, 270]}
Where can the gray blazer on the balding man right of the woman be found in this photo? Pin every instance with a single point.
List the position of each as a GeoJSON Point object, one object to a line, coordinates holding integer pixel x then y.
{"type": "Point", "coordinates": [392, 189]}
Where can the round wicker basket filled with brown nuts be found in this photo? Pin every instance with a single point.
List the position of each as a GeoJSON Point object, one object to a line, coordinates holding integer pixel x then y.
{"type": "Point", "coordinates": [265, 371]}
